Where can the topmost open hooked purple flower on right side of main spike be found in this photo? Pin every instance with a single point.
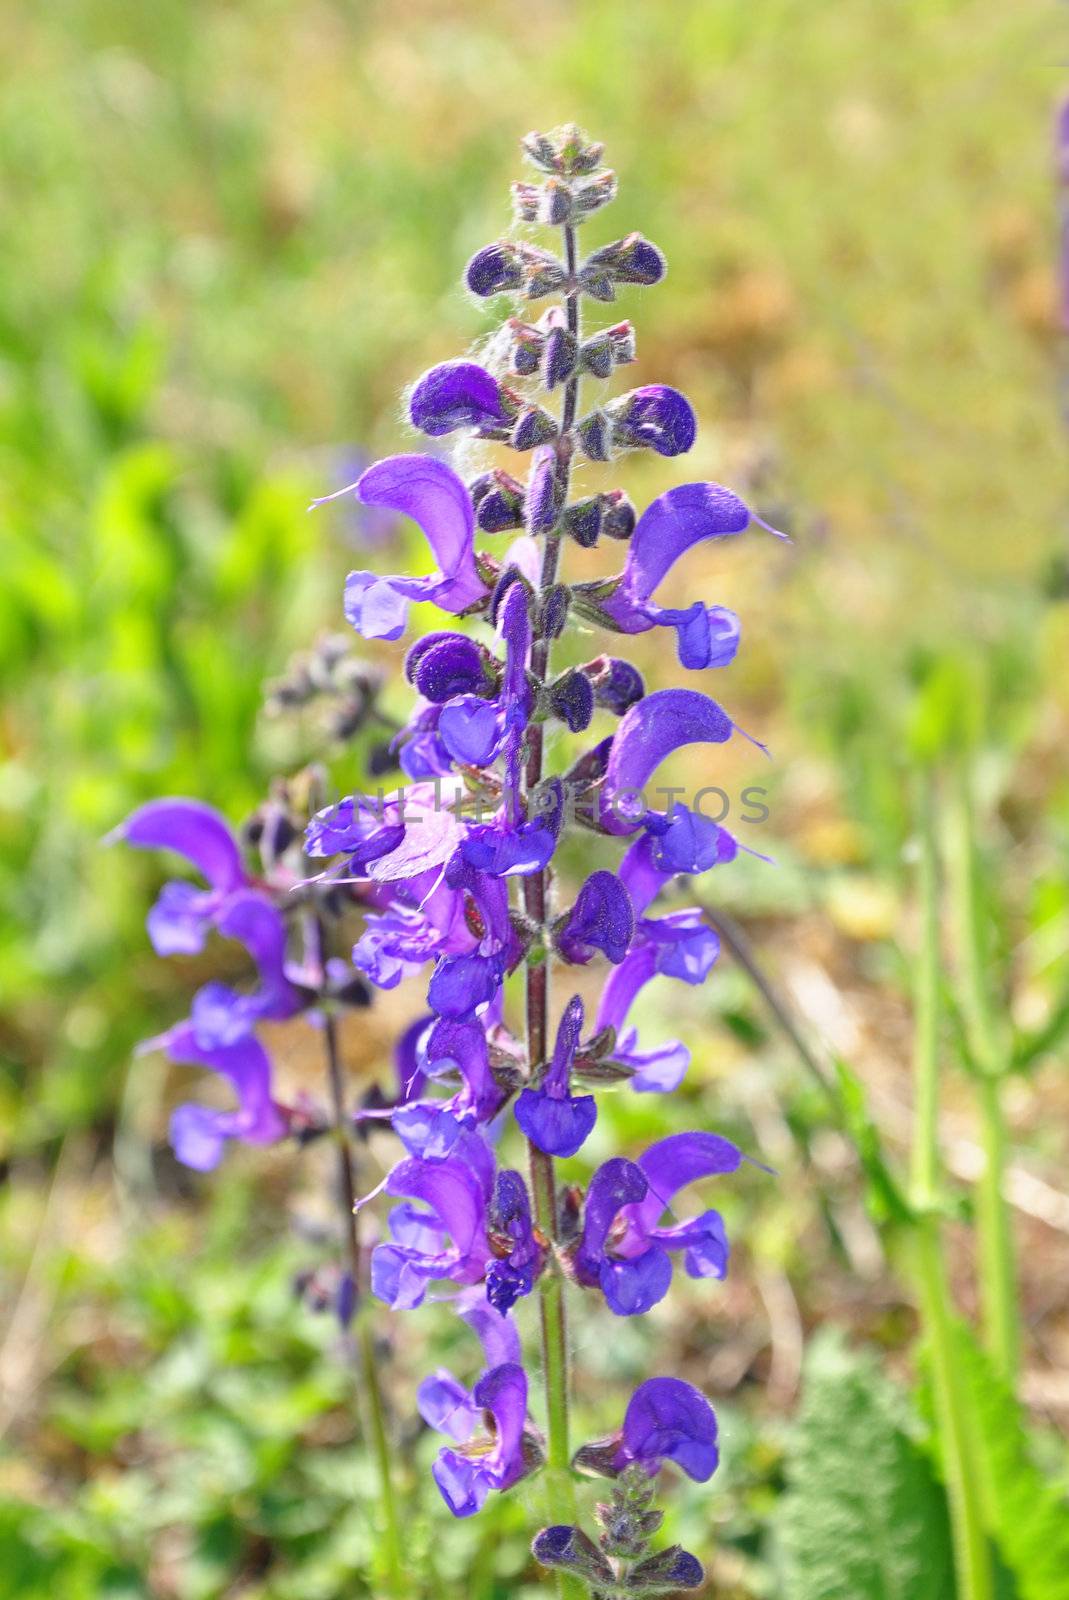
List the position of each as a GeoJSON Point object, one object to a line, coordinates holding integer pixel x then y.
{"type": "Point", "coordinates": [675, 522]}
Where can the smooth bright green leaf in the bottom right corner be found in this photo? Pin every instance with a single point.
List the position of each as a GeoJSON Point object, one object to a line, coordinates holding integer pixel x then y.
{"type": "Point", "coordinates": [1027, 1514]}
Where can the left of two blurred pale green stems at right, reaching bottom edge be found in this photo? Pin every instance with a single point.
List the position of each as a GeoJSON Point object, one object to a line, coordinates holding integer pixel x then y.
{"type": "Point", "coordinates": [972, 1558]}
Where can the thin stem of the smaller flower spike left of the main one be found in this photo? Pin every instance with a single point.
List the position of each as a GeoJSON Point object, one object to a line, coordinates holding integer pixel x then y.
{"type": "Point", "coordinates": [372, 1394]}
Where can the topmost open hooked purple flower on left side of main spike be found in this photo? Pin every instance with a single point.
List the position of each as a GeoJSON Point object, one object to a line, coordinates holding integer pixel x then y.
{"type": "Point", "coordinates": [438, 502]}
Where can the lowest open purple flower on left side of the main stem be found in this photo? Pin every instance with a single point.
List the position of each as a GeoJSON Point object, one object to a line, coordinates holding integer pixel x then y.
{"type": "Point", "coordinates": [497, 1462]}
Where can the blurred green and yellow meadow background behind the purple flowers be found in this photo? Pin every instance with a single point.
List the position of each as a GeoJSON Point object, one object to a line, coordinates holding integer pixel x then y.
{"type": "Point", "coordinates": [233, 234]}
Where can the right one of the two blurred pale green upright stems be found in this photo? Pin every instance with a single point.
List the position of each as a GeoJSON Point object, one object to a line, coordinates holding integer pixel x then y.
{"type": "Point", "coordinates": [987, 1044]}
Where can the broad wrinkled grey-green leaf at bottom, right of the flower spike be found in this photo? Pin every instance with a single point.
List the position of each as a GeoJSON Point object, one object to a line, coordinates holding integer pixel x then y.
{"type": "Point", "coordinates": [863, 1518]}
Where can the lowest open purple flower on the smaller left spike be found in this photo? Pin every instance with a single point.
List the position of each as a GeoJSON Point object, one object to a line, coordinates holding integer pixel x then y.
{"type": "Point", "coordinates": [199, 1132]}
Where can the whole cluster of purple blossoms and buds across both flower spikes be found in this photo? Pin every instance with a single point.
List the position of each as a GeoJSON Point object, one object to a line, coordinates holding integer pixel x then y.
{"type": "Point", "coordinates": [454, 879]}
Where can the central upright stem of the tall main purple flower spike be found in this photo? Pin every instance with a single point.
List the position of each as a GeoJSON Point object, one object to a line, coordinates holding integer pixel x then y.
{"type": "Point", "coordinates": [561, 1503]}
